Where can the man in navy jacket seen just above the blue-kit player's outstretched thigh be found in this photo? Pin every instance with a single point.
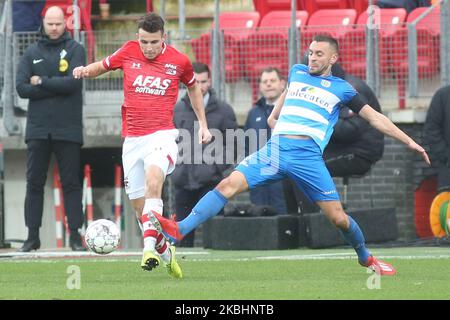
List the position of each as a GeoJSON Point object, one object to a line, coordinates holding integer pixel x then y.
{"type": "Point", "coordinates": [271, 86]}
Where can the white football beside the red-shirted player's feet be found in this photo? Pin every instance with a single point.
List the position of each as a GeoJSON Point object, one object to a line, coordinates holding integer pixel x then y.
{"type": "Point", "coordinates": [102, 236]}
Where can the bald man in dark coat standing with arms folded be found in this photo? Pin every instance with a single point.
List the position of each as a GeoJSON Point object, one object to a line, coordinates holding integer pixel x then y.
{"type": "Point", "coordinates": [54, 123]}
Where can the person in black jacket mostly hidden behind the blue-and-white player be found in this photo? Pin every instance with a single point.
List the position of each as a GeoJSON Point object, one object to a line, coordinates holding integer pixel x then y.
{"type": "Point", "coordinates": [354, 145]}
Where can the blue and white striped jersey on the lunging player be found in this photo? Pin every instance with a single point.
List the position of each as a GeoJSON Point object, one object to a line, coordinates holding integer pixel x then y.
{"type": "Point", "coordinates": [312, 103]}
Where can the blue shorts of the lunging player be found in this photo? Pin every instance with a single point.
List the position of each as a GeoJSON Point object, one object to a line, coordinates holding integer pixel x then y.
{"type": "Point", "coordinates": [297, 159]}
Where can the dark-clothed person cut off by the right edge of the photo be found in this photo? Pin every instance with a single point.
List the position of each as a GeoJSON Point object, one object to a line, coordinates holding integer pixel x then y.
{"type": "Point", "coordinates": [437, 136]}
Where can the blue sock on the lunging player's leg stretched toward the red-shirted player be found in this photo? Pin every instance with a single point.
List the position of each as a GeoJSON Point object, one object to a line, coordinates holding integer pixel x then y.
{"type": "Point", "coordinates": [206, 208]}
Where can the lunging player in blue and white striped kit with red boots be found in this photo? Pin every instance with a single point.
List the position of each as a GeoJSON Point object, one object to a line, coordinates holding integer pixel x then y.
{"type": "Point", "coordinates": [303, 120]}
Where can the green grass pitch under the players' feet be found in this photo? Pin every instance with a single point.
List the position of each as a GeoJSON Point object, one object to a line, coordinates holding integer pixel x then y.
{"type": "Point", "coordinates": [423, 273]}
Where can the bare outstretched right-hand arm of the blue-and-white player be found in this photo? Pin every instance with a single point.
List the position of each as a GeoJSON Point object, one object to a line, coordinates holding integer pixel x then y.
{"type": "Point", "coordinates": [386, 126]}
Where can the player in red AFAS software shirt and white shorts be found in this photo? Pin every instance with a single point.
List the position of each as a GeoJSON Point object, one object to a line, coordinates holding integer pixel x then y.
{"type": "Point", "coordinates": [152, 71]}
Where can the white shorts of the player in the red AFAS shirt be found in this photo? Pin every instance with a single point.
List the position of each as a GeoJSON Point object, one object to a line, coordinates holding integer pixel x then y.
{"type": "Point", "coordinates": [159, 149]}
